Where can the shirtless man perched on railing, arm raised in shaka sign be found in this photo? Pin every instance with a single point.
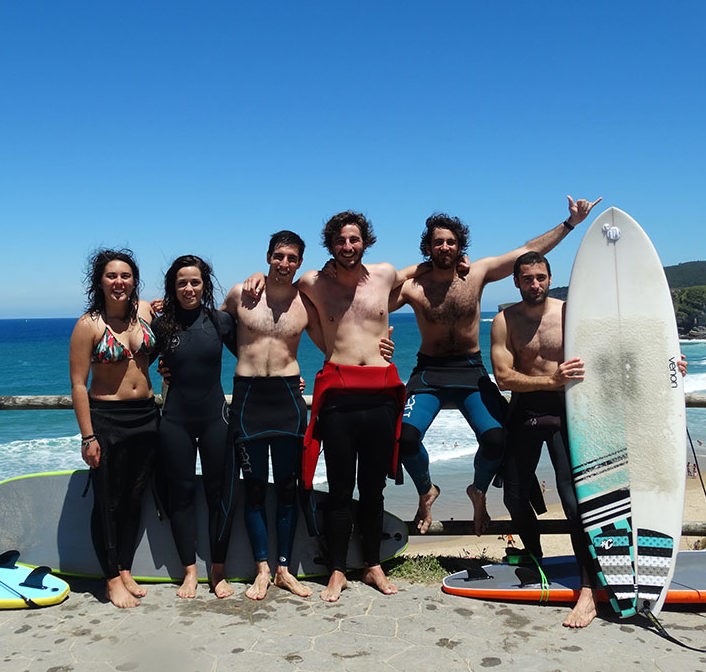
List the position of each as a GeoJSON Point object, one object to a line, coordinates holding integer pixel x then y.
{"type": "Point", "coordinates": [449, 365]}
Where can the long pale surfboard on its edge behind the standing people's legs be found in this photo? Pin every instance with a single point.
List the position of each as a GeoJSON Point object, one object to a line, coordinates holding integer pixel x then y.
{"type": "Point", "coordinates": [47, 516]}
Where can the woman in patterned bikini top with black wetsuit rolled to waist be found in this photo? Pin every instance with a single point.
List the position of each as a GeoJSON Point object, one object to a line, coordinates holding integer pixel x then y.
{"type": "Point", "coordinates": [117, 416]}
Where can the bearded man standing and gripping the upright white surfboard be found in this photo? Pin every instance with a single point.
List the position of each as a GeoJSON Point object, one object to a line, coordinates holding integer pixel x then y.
{"type": "Point", "coordinates": [527, 351]}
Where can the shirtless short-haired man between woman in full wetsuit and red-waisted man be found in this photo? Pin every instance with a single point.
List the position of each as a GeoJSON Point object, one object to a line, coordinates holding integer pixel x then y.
{"type": "Point", "coordinates": [267, 374]}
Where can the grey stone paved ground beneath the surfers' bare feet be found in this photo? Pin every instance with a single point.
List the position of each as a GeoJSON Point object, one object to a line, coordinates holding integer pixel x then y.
{"type": "Point", "coordinates": [421, 628]}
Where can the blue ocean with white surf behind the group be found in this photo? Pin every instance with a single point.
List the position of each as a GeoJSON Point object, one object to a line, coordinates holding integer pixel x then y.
{"type": "Point", "coordinates": [34, 361]}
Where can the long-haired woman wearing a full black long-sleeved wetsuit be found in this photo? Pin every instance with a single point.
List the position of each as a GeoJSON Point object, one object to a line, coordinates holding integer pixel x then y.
{"type": "Point", "coordinates": [191, 334]}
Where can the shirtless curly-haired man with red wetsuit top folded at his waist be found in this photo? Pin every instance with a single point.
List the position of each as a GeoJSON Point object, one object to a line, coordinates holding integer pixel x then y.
{"type": "Point", "coordinates": [358, 396]}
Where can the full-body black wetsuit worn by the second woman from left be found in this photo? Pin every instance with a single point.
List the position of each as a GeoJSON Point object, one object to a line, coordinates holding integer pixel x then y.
{"type": "Point", "coordinates": [195, 415]}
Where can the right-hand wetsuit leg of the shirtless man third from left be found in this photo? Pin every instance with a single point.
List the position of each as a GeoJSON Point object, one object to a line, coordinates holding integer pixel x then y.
{"type": "Point", "coordinates": [286, 465]}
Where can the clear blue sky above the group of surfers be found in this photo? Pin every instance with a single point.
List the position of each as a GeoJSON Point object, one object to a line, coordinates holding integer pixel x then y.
{"type": "Point", "coordinates": [202, 127]}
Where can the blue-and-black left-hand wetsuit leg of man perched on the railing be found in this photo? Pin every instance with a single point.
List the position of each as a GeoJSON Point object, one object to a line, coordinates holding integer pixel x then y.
{"type": "Point", "coordinates": [419, 412]}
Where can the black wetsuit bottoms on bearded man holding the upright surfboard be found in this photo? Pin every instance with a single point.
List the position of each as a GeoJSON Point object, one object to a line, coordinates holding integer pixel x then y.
{"type": "Point", "coordinates": [536, 418]}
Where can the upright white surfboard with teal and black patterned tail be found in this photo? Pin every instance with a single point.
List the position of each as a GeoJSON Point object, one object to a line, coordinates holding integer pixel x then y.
{"type": "Point", "coordinates": [626, 419]}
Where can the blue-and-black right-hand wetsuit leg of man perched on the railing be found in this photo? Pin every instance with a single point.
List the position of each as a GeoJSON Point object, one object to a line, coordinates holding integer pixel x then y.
{"type": "Point", "coordinates": [484, 415]}
